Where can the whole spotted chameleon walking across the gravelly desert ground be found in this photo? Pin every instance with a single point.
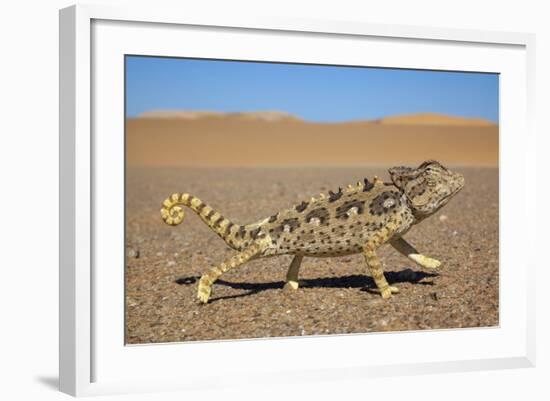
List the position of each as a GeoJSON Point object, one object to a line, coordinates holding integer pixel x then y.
{"type": "Point", "coordinates": [358, 219]}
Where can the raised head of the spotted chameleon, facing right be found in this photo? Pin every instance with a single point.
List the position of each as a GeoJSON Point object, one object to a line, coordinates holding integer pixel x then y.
{"type": "Point", "coordinates": [427, 187]}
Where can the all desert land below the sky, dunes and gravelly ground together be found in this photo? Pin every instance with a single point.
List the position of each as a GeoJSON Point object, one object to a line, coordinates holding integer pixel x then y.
{"type": "Point", "coordinates": [250, 165]}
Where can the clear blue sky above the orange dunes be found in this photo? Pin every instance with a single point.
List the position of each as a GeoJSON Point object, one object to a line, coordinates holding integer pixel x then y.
{"type": "Point", "coordinates": [312, 92]}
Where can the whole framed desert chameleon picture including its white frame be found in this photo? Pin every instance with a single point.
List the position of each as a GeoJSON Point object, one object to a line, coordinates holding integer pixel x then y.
{"type": "Point", "coordinates": [296, 200]}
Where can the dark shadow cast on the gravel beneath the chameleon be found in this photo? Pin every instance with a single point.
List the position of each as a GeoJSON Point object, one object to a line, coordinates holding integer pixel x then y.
{"type": "Point", "coordinates": [366, 283]}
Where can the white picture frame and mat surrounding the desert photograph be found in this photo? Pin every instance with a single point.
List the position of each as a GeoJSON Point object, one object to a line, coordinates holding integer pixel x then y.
{"type": "Point", "coordinates": [93, 358]}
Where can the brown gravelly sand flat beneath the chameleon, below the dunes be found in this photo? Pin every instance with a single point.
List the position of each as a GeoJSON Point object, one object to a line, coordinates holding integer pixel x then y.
{"type": "Point", "coordinates": [163, 262]}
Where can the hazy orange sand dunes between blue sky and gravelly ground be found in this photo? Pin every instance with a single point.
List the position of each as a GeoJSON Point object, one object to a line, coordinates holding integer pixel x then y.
{"type": "Point", "coordinates": [278, 139]}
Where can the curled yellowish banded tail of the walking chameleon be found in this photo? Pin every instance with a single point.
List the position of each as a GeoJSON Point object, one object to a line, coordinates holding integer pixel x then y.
{"type": "Point", "coordinates": [172, 213]}
